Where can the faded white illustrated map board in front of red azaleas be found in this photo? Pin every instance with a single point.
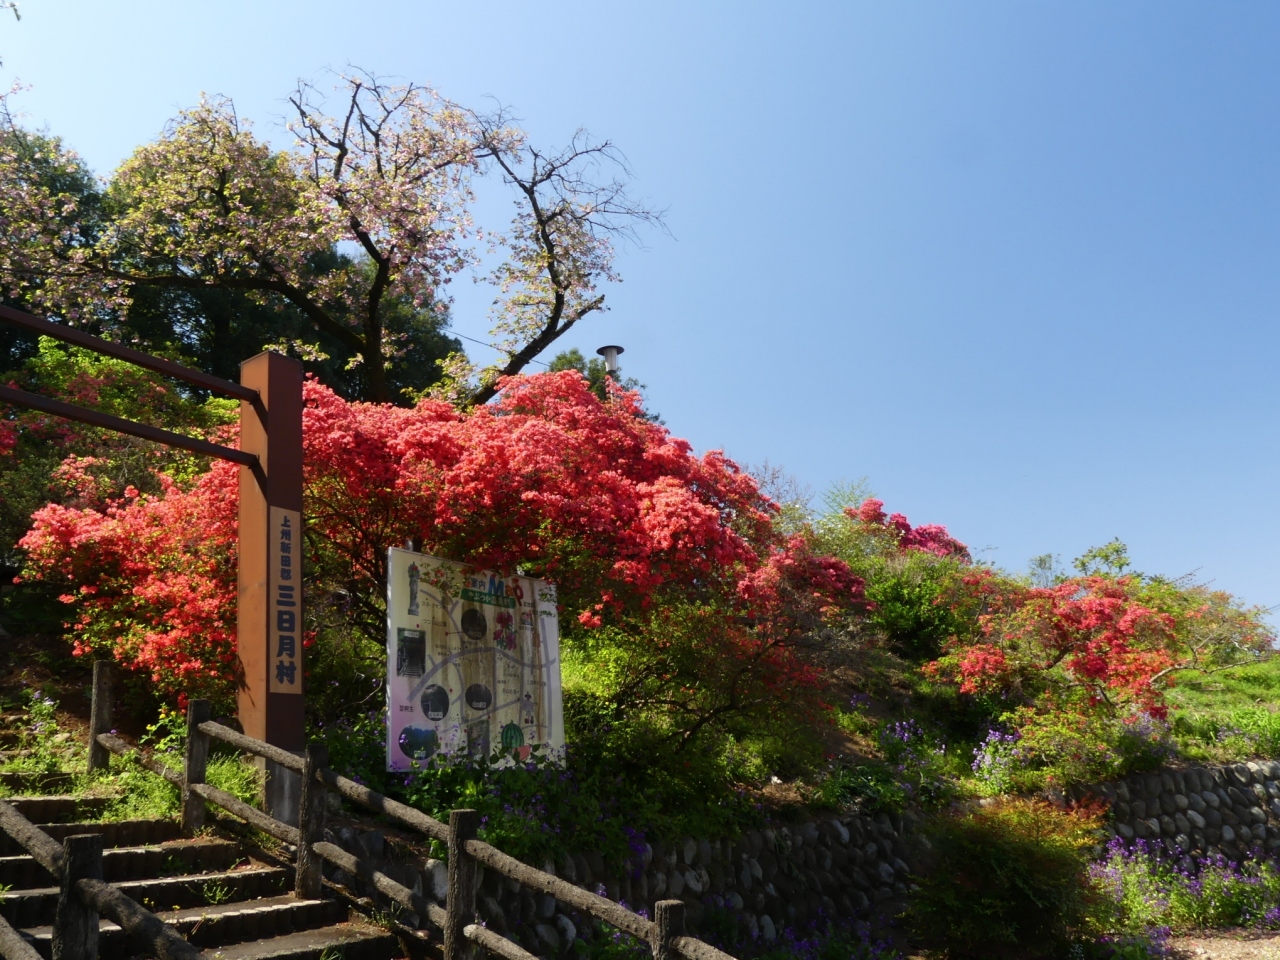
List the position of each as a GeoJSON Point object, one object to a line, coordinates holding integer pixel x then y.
{"type": "Point", "coordinates": [473, 662]}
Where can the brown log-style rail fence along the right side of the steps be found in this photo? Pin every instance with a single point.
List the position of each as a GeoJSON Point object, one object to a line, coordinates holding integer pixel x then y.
{"type": "Point", "coordinates": [456, 921]}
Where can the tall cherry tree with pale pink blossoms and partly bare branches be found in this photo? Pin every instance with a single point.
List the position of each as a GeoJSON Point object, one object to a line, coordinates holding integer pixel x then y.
{"type": "Point", "coordinates": [371, 208]}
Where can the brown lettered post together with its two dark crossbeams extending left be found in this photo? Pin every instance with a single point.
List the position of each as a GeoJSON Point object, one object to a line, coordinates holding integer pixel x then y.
{"type": "Point", "coordinates": [269, 628]}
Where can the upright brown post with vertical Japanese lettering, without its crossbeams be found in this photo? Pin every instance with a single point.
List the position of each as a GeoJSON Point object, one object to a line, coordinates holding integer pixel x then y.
{"type": "Point", "coordinates": [269, 619]}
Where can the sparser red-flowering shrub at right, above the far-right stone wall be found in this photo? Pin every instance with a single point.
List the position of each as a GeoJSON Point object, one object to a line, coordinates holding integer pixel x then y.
{"type": "Point", "coordinates": [1080, 670]}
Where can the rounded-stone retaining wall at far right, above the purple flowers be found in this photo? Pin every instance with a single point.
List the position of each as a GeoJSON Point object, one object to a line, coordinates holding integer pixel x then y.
{"type": "Point", "coordinates": [1231, 811]}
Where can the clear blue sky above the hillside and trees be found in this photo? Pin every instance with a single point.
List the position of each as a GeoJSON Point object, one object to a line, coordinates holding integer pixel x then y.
{"type": "Point", "coordinates": [1014, 263]}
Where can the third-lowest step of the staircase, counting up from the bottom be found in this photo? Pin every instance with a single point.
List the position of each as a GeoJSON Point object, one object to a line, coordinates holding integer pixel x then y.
{"type": "Point", "coordinates": [34, 908]}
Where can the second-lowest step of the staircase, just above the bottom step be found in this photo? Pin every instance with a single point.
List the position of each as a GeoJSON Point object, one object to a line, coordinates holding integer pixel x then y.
{"type": "Point", "coordinates": [217, 926]}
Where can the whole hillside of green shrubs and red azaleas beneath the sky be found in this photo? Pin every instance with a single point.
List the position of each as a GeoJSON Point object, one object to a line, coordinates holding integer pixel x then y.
{"type": "Point", "coordinates": [729, 657]}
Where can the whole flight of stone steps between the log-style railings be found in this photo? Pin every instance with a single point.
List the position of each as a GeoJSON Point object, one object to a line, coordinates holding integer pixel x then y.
{"type": "Point", "coordinates": [230, 900]}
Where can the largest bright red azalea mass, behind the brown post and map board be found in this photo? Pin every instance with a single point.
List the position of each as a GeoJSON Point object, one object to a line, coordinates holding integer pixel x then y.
{"type": "Point", "coordinates": [548, 479]}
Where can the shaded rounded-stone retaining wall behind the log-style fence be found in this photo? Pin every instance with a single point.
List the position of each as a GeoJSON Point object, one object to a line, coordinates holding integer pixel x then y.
{"type": "Point", "coordinates": [769, 880]}
